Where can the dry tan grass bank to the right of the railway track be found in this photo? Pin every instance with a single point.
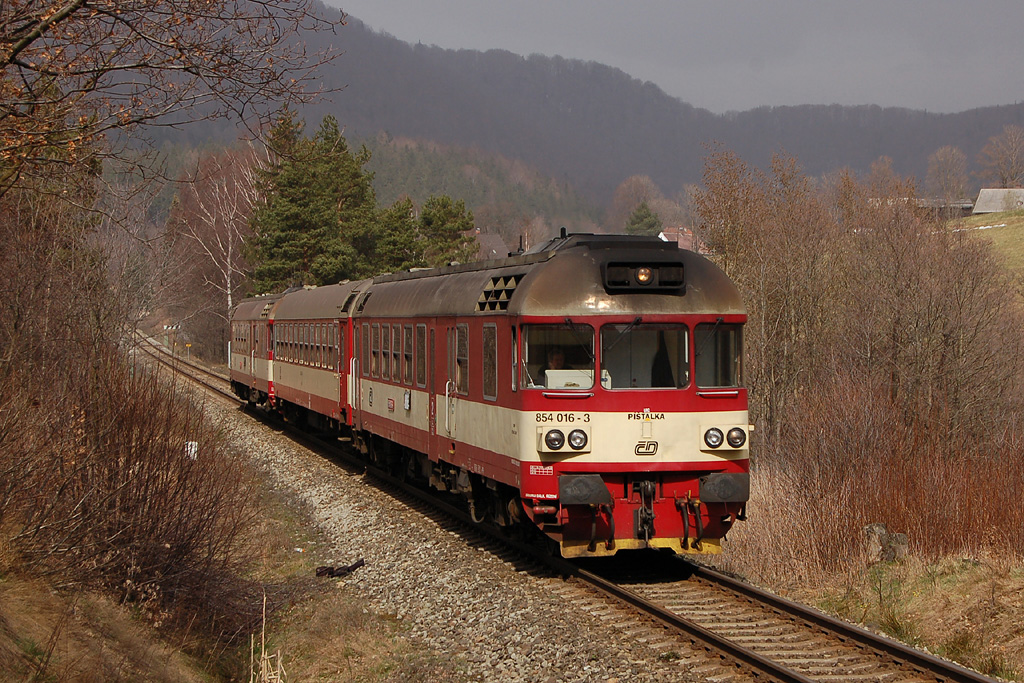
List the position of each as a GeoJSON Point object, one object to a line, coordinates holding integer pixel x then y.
{"type": "Point", "coordinates": [966, 605]}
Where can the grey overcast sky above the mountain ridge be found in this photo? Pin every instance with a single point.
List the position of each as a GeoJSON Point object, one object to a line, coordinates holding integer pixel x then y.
{"type": "Point", "coordinates": [941, 56]}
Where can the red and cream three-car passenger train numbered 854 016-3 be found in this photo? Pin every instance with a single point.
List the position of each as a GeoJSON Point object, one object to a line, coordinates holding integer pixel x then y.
{"type": "Point", "coordinates": [589, 389]}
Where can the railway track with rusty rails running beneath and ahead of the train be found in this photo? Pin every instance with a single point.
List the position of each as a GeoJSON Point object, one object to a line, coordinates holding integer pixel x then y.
{"type": "Point", "coordinates": [733, 631]}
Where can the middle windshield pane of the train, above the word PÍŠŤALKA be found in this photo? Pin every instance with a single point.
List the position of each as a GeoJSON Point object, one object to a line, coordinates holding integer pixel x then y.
{"type": "Point", "coordinates": [644, 357]}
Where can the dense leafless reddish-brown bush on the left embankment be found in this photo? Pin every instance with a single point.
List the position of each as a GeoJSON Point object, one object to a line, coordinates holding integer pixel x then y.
{"type": "Point", "coordinates": [117, 482]}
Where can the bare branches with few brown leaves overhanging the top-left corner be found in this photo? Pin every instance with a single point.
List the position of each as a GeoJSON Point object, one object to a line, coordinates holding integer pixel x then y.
{"type": "Point", "coordinates": [73, 71]}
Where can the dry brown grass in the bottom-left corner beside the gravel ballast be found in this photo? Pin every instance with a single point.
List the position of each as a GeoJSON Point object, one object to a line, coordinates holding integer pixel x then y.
{"type": "Point", "coordinates": [315, 630]}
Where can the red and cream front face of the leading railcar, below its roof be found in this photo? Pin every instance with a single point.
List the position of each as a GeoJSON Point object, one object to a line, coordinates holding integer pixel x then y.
{"type": "Point", "coordinates": [653, 455]}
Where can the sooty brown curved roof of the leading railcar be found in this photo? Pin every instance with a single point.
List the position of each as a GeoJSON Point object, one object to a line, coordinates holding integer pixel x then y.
{"type": "Point", "coordinates": [575, 275]}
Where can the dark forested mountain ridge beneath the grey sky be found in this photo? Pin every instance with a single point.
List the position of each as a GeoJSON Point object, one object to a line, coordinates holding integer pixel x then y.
{"type": "Point", "coordinates": [593, 125]}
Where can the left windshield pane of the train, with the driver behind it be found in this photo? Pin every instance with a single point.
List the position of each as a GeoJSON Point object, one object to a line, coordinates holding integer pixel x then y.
{"type": "Point", "coordinates": [558, 357]}
